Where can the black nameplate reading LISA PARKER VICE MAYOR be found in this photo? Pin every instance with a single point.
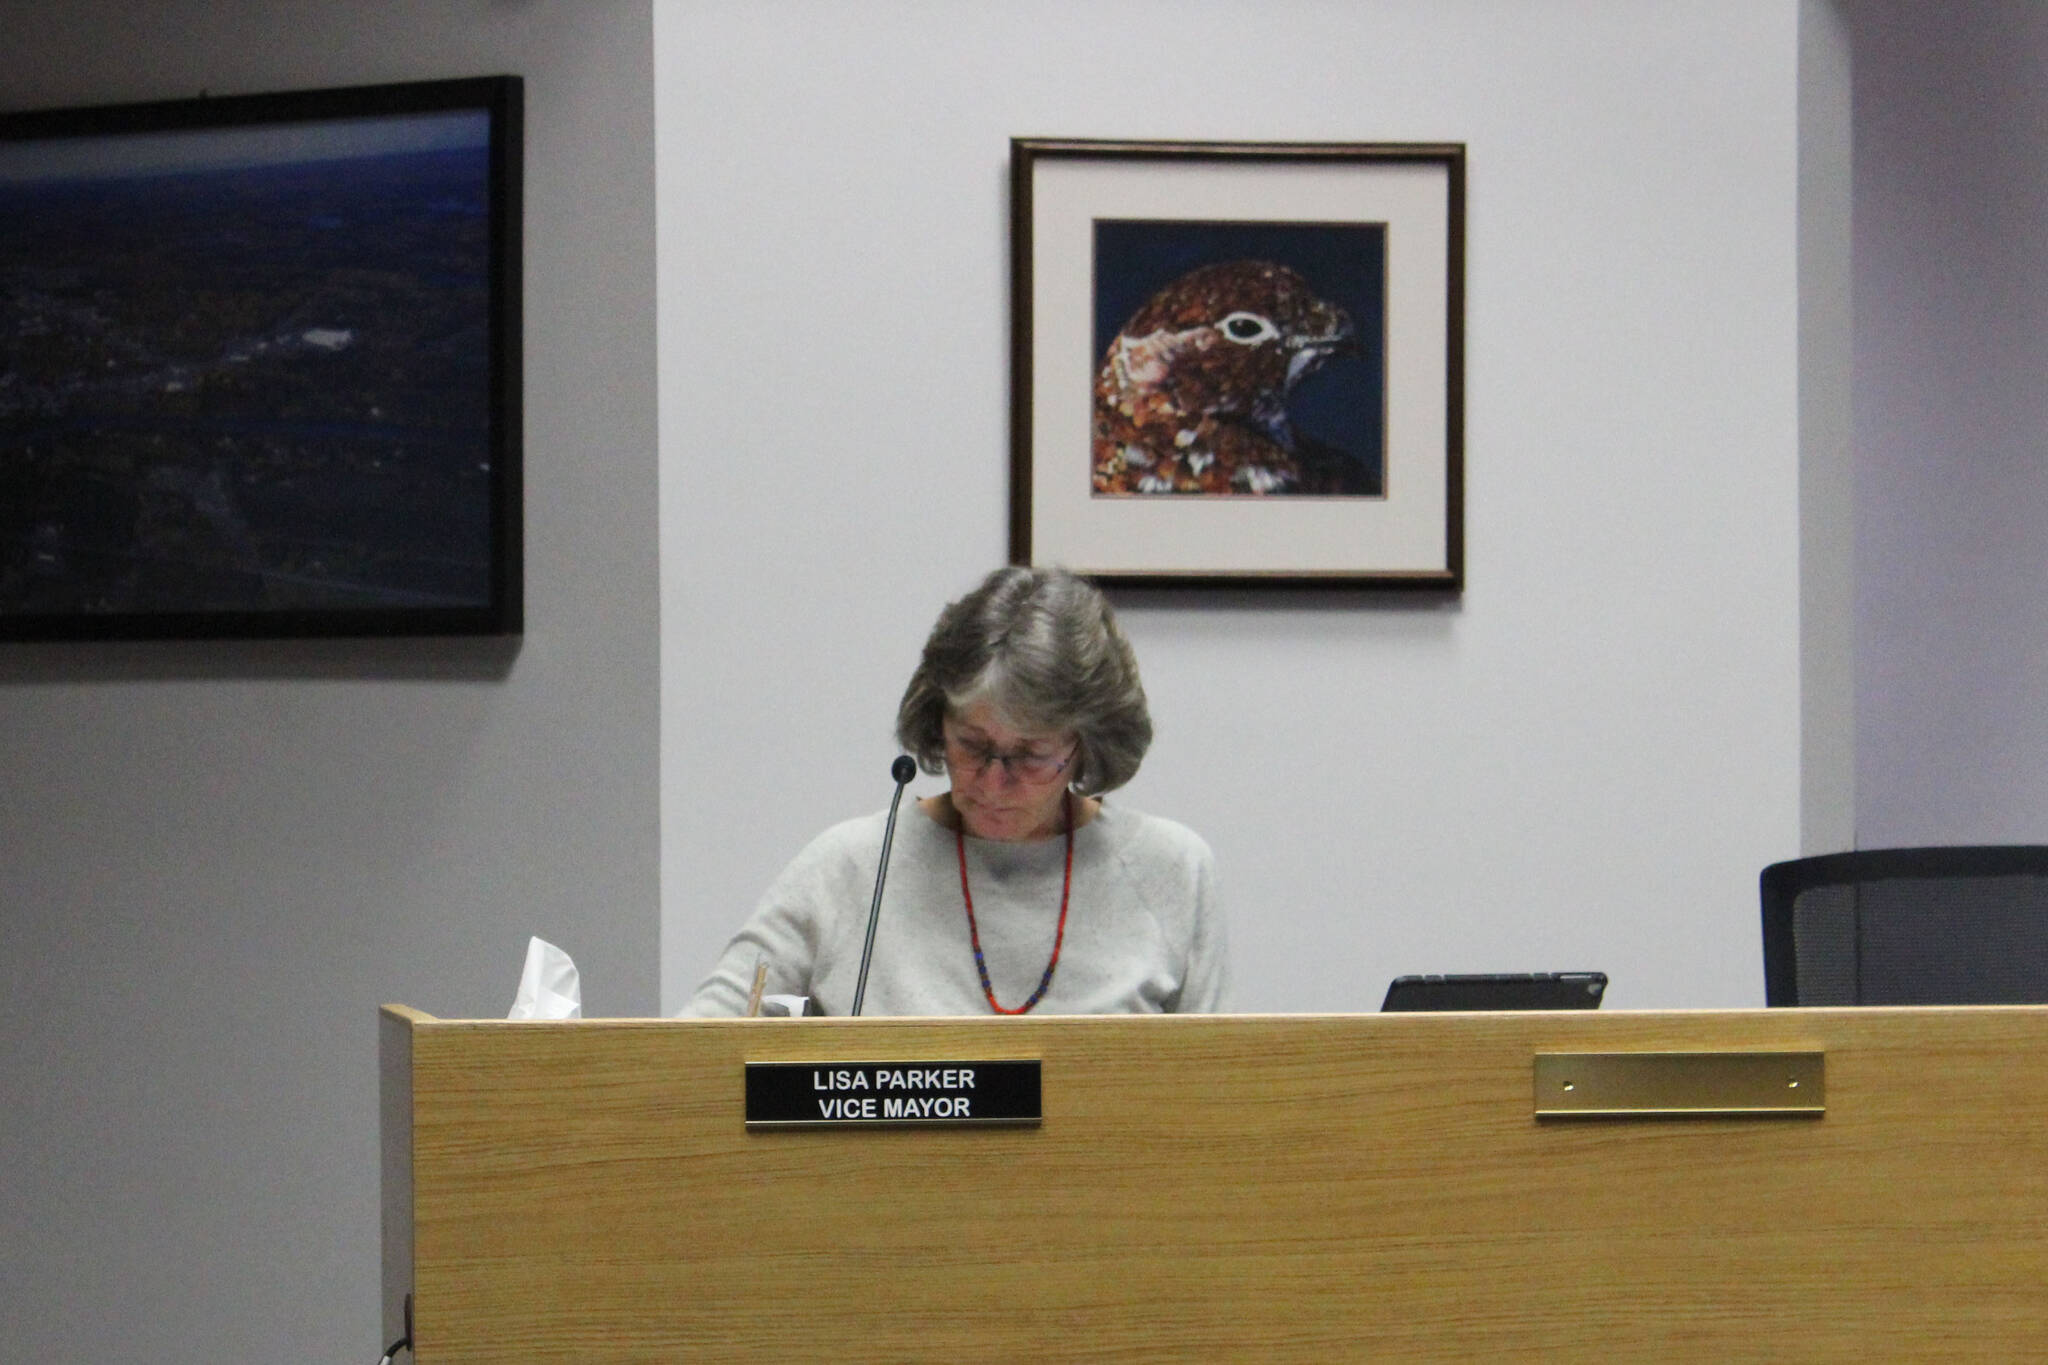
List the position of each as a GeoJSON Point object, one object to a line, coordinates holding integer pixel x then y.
{"type": "Point", "coordinates": [857, 1094]}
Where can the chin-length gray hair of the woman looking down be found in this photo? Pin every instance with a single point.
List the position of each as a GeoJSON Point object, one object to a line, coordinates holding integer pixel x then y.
{"type": "Point", "coordinates": [1043, 648]}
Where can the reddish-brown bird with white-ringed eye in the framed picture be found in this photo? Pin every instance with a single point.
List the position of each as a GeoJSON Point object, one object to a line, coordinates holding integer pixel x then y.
{"type": "Point", "coordinates": [1193, 392]}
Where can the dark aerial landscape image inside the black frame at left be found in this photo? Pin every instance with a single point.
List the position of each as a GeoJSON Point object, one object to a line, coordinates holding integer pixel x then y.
{"type": "Point", "coordinates": [247, 369]}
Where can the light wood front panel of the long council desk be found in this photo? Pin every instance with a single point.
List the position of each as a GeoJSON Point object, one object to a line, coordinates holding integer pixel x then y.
{"type": "Point", "coordinates": [1230, 1188]}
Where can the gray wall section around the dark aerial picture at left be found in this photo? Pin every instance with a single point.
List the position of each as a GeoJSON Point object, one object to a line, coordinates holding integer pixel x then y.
{"type": "Point", "coordinates": [216, 861]}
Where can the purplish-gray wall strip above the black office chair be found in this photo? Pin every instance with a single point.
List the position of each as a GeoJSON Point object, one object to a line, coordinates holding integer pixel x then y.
{"type": "Point", "coordinates": [1953, 421]}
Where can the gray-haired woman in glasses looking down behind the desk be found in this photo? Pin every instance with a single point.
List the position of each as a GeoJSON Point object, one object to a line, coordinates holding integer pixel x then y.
{"type": "Point", "coordinates": [1019, 887]}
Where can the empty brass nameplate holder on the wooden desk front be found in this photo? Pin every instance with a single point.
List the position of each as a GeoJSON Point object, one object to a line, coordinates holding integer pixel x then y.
{"type": "Point", "coordinates": [1601, 1086]}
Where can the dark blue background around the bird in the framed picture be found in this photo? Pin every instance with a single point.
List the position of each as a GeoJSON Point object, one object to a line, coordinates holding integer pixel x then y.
{"type": "Point", "coordinates": [1345, 402]}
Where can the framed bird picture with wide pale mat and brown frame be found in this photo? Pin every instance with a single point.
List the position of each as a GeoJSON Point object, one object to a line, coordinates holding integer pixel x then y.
{"type": "Point", "coordinates": [1238, 363]}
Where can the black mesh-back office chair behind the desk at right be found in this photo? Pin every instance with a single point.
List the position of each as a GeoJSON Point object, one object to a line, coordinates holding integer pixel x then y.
{"type": "Point", "coordinates": [1947, 926]}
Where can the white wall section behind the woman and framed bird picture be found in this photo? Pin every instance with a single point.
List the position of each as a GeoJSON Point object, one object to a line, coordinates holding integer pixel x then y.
{"type": "Point", "coordinates": [1582, 762]}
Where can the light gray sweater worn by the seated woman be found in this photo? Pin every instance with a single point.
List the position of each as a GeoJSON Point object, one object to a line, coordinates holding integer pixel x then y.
{"type": "Point", "coordinates": [1144, 930]}
